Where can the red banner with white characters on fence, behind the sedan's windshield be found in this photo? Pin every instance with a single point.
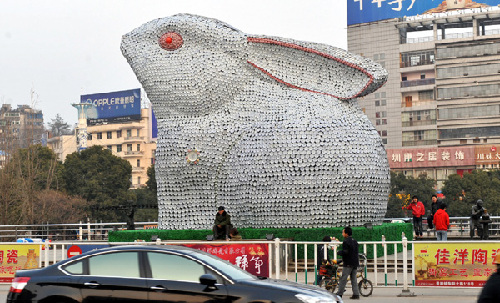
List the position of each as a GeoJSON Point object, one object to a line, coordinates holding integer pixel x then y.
{"type": "Point", "coordinates": [253, 258]}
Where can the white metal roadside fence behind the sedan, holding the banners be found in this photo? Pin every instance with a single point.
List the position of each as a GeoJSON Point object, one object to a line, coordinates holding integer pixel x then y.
{"type": "Point", "coordinates": [289, 260]}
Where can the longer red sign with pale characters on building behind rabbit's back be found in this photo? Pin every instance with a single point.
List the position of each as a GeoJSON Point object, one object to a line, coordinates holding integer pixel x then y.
{"type": "Point", "coordinates": [431, 157]}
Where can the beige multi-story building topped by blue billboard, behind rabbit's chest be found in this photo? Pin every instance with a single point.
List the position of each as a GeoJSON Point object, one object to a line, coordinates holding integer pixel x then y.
{"type": "Point", "coordinates": [122, 123]}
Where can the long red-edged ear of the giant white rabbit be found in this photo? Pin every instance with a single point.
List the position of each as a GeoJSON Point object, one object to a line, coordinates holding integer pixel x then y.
{"type": "Point", "coordinates": [315, 67]}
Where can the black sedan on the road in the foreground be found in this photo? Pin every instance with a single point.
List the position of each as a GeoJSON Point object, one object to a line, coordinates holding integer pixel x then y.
{"type": "Point", "coordinates": [154, 274]}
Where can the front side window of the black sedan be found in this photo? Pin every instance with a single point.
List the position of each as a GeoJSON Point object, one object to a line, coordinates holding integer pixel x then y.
{"type": "Point", "coordinates": [174, 267]}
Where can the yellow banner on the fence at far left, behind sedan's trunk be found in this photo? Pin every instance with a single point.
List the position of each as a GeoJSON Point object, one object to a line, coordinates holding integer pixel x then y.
{"type": "Point", "coordinates": [14, 257]}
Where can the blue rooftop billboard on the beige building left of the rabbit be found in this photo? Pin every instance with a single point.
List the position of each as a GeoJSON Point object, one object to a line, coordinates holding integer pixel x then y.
{"type": "Point", "coordinates": [115, 107]}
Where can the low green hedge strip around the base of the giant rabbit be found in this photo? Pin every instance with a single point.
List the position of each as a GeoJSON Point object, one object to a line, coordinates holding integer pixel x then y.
{"type": "Point", "coordinates": [392, 232]}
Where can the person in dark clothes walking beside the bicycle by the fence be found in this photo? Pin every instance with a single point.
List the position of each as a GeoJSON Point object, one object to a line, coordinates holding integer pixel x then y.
{"type": "Point", "coordinates": [350, 259]}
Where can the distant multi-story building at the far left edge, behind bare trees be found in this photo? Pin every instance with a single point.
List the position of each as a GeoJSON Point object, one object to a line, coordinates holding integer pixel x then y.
{"type": "Point", "coordinates": [20, 127]}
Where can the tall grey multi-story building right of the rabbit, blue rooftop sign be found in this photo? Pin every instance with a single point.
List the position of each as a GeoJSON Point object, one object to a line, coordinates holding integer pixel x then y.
{"type": "Point", "coordinates": [439, 112]}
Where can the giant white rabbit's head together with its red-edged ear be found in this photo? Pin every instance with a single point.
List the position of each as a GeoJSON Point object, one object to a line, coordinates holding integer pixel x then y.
{"type": "Point", "coordinates": [196, 64]}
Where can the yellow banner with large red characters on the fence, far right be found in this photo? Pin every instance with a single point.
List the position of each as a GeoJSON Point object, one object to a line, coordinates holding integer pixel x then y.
{"type": "Point", "coordinates": [449, 264]}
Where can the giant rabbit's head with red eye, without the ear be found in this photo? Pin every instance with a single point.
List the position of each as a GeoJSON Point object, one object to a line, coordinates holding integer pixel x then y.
{"type": "Point", "coordinates": [189, 61]}
